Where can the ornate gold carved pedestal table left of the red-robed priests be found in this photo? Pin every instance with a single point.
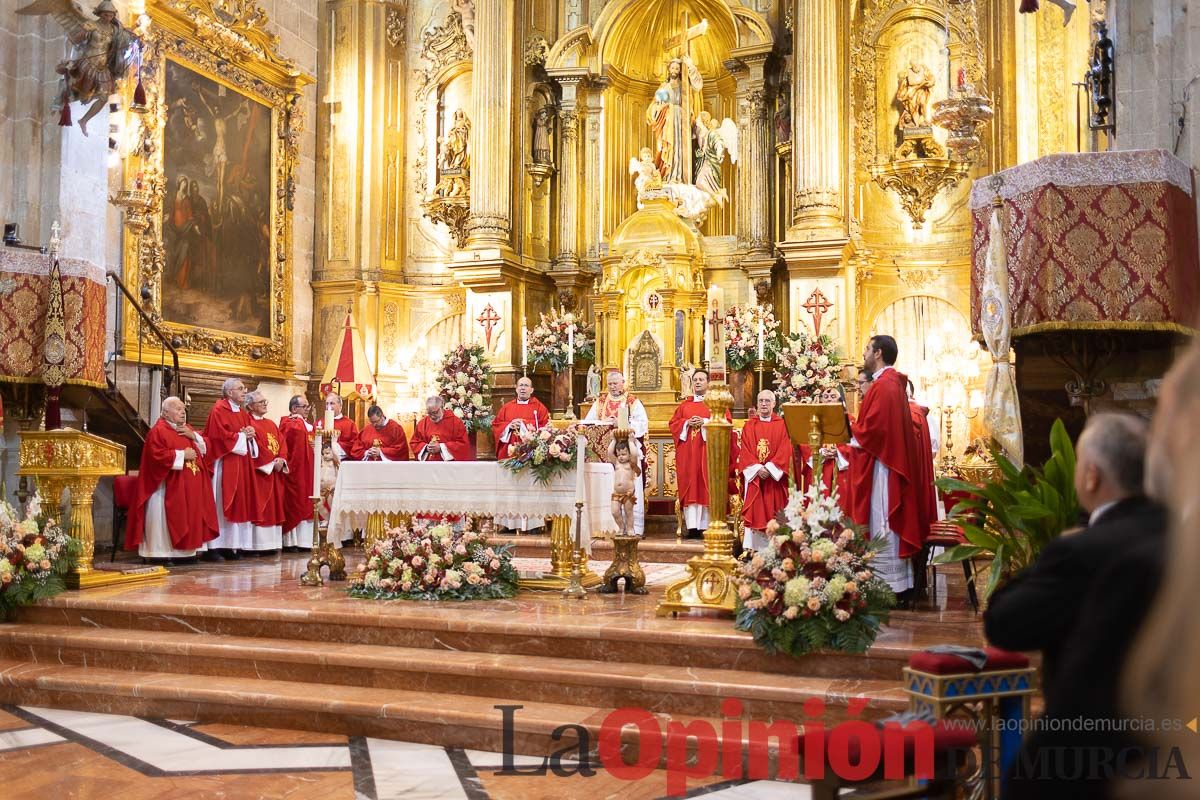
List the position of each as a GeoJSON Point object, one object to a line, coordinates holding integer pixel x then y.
{"type": "Point", "coordinates": [76, 461]}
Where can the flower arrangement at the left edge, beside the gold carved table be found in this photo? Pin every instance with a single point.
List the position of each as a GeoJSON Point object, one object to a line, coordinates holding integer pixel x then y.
{"type": "Point", "coordinates": [35, 558]}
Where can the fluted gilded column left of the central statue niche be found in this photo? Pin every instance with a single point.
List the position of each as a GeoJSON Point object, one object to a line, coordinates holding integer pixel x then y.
{"type": "Point", "coordinates": [491, 141]}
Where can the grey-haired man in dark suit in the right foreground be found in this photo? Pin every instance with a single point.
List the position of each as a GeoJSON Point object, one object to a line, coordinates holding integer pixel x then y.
{"type": "Point", "coordinates": [1081, 605]}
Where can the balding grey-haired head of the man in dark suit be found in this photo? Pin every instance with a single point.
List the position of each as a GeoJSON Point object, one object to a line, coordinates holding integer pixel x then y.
{"type": "Point", "coordinates": [1111, 459]}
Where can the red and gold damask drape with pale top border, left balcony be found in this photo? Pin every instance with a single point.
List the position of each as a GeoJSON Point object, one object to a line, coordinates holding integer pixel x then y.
{"type": "Point", "coordinates": [25, 304]}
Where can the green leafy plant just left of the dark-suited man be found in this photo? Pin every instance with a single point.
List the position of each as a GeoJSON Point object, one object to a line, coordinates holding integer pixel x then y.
{"type": "Point", "coordinates": [1016, 516]}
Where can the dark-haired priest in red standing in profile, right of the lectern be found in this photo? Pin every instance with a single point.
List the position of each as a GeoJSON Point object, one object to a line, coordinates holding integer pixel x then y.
{"type": "Point", "coordinates": [886, 480]}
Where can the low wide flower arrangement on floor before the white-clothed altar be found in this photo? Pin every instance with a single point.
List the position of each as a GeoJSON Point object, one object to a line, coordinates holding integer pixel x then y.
{"type": "Point", "coordinates": [435, 563]}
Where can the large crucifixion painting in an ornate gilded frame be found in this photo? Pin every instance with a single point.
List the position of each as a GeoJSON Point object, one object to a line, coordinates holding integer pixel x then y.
{"type": "Point", "coordinates": [223, 113]}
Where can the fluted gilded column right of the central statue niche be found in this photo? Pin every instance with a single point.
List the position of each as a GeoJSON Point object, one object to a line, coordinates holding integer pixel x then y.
{"type": "Point", "coordinates": [818, 101]}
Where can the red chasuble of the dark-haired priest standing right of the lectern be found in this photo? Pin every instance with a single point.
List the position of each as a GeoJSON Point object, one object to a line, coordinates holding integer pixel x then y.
{"type": "Point", "coordinates": [885, 434]}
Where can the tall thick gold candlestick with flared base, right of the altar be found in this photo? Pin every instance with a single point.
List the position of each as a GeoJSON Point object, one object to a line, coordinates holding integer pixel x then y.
{"type": "Point", "coordinates": [710, 582]}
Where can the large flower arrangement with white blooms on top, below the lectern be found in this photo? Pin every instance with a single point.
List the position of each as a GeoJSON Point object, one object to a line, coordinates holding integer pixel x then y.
{"type": "Point", "coordinates": [813, 588]}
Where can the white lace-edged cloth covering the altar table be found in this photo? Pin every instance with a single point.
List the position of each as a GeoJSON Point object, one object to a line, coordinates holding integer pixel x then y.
{"type": "Point", "coordinates": [477, 489]}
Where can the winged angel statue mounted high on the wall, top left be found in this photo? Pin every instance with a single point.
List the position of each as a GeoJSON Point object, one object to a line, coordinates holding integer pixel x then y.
{"type": "Point", "coordinates": [103, 55]}
